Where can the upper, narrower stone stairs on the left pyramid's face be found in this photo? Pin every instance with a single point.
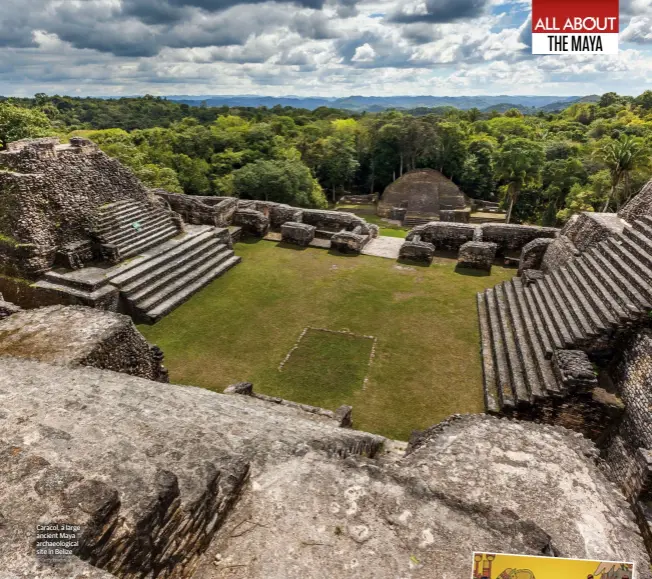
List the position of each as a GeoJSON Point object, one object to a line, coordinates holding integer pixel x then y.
{"type": "Point", "coordinates": [128, 227]}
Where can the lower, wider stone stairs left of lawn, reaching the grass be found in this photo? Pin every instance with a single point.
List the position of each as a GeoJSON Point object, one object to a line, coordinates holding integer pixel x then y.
{"type": "Point", "coordinates": [154, 287]}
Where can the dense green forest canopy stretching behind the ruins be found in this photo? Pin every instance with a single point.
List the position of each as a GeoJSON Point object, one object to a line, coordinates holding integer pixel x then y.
{"type": "Point", "coordinates": [543, 168]}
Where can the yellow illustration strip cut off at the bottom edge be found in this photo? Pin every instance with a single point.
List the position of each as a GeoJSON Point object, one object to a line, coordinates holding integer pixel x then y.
{"type": "Point", "coordinates": [501, 566]}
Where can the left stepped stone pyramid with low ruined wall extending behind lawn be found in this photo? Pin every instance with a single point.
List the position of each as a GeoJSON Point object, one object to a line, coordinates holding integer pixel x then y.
{"type": "Point", "coordinates": [78, 228]}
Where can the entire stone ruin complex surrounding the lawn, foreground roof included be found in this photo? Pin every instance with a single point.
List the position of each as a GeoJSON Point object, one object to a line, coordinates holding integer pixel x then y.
{"type": "Point", "coordinates": [182, 482]}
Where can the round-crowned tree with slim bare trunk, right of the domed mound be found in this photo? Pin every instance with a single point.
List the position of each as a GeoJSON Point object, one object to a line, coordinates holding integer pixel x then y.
{"type": "Point", "coordinates": [518, 165]}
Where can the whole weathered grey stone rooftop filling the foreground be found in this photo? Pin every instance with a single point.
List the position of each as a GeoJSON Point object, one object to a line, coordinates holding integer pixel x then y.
{"type": "Point", "coordinates": [130, 461]}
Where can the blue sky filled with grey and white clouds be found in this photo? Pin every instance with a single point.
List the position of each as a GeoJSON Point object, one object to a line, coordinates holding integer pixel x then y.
{"type": "Point", "coordinates": [328, 48]}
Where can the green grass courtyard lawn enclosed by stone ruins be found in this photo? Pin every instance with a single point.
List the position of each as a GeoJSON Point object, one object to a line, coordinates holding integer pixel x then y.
{"type": "Point", "coordinates": [240, 328]}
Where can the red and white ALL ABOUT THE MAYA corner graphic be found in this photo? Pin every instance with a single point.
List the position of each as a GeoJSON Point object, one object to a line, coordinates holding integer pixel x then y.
{"type": "Point", "coordinates": [581, 26]}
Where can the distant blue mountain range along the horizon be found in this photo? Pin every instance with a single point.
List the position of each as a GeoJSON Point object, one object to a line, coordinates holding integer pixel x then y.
{"type": "Point", "coordinates": [500, 103]}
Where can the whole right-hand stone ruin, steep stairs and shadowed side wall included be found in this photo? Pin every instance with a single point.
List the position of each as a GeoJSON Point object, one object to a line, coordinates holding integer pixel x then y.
{"type": "Point", "coordinates": [567, 343]}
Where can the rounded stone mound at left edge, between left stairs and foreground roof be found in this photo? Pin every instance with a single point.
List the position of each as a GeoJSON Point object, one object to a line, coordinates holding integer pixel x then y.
{"type": "Point", "coordinates": [76, 335]}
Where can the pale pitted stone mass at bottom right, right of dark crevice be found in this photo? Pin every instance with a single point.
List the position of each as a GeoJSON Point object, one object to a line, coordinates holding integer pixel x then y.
{"type": "Point", "coordinates": [450, 507]}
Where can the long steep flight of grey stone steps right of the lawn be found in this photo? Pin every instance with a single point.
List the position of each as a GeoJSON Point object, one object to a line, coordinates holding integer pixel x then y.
{"type": "Point", "coordinates": [583, 305]}
